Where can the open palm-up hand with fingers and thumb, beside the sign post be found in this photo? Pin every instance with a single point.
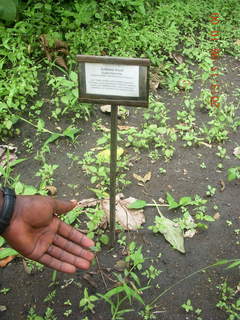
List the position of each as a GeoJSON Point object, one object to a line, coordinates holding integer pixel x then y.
{"type": "Point", "coordinates": [37, 233]}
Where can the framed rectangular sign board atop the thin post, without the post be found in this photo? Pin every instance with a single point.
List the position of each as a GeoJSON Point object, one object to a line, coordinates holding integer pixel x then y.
{"type": "Point", "coordinates": [112, 80]}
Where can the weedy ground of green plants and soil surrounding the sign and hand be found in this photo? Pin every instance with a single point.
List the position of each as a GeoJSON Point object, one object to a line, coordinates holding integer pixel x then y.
{"type": "Point", "coordinates": [179, 158]}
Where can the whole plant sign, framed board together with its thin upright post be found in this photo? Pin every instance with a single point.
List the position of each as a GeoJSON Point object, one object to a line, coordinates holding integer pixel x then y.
{"type": "Point", "coordinates": [115, 81]}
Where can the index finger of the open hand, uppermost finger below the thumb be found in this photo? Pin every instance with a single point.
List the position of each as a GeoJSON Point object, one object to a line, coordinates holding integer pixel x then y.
{"type": "Point", "coordinates": [72, 234]}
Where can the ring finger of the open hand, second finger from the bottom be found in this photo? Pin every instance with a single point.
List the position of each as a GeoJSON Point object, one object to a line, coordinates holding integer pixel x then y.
{"type": "Point", "coordinates": [65, 256]}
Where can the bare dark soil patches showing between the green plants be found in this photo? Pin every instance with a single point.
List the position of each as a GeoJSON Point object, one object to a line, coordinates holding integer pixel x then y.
{"type": "Point", "coordinates": [184, 177]}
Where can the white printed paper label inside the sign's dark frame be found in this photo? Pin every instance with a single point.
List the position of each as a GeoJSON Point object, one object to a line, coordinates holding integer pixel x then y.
{"type": "Point", "coordinates": [112, 79]}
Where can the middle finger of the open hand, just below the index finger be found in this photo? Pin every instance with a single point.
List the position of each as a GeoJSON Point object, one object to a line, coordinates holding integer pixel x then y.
{"type": "Point", "coordinates": [72, 247]}
